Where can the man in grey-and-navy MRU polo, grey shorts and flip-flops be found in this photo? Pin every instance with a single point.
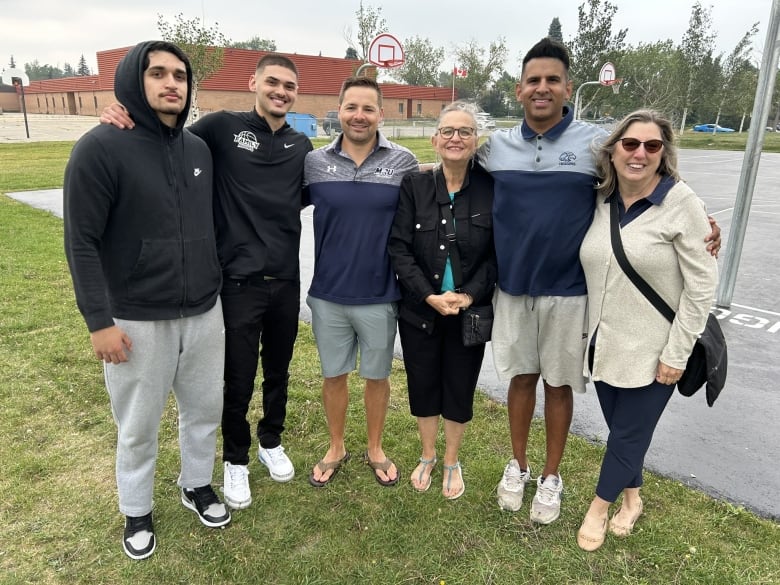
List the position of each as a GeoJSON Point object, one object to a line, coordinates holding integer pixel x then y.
{"type": "Point", "coordinates": [354, 184]}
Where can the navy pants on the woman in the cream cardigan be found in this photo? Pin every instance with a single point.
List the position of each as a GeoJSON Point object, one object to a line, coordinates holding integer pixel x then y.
{"type": "Point", "coordinates": [631, 415]}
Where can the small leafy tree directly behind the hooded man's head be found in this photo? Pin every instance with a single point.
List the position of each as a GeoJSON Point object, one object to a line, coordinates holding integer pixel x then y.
{"type": "Point", "coordinates": [204, 47]}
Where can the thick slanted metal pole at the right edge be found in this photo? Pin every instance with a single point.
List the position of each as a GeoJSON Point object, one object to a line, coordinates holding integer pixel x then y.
{"type": "Point", "coordinates": [747, 178]}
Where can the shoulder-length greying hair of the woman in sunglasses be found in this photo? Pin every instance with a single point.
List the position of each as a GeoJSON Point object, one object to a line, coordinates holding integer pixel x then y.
{"type": "Point", "coordinates": [607, 183]}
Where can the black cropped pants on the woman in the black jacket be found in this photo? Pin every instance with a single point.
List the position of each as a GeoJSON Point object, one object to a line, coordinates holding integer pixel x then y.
{"type": "Point", "coordinates": [441, 374]}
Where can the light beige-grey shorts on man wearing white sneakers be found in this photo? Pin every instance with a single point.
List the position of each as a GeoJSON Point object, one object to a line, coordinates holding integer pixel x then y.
{"type": "Point", "coordinates": [540, 335]}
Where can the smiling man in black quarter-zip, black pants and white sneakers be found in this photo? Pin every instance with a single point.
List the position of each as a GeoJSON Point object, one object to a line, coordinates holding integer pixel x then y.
{"type": "Point", "coordinates": [258, 177]}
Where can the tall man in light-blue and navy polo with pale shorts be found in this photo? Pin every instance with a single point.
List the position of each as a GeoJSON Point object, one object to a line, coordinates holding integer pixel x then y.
{"type": "Point", "coordinates": [545, 174]}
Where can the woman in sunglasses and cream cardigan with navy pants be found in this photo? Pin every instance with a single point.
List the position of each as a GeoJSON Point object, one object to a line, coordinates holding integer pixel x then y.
{"type": "Point", "coordinates": [635, 355]}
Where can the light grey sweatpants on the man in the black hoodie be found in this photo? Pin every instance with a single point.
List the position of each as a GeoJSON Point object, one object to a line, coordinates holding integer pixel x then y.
{"type": "Point", "coordinates": [186, 355]}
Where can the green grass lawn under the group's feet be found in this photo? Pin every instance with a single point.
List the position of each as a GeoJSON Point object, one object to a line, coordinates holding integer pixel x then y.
{"type": "Point", "coordinates": [59, 515]}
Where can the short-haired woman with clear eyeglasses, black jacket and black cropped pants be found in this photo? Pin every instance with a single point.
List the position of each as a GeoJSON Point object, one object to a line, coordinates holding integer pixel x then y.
{"type": "Point", "coordinates": [441, 372]}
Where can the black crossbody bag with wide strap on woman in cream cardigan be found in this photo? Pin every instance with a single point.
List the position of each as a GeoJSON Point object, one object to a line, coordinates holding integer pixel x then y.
{"type": "Point", "coordinates": [708, 362]}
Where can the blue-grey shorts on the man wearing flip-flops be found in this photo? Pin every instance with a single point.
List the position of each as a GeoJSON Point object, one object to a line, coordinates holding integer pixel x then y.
{"type": "Point", "coordinates": [340, 330]}
